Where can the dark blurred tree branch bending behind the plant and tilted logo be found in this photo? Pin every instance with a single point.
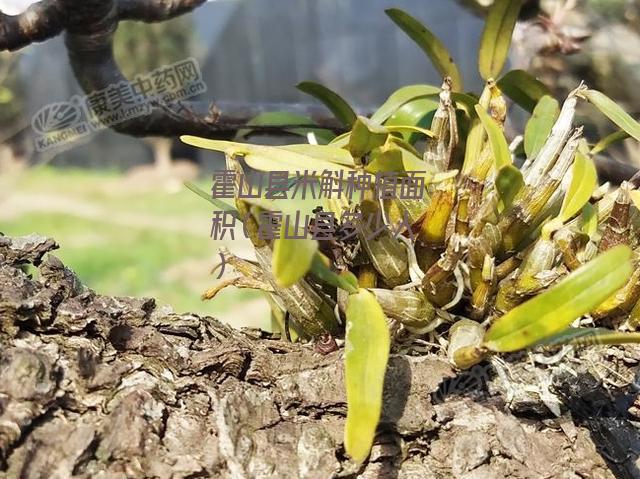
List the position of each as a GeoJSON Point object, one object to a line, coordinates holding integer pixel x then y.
{"type": "Point", "coordinates": [90, 26]}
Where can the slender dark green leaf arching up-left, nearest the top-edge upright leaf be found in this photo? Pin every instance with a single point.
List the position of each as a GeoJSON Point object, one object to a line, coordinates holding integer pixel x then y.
{"type": "Point", "coordinates": [429, 43]}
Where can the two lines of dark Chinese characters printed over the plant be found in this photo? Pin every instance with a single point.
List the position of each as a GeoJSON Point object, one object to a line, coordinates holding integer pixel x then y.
{"type": "Point", "coordinates": [321, 225]}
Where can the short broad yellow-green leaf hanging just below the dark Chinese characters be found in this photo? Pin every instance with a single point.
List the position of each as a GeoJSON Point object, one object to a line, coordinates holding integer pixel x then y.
{"type": "Point", "coordinates": [292, 257]}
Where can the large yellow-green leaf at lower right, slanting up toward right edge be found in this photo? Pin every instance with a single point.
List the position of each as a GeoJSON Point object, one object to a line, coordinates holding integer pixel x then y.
{"type": "Point", "coordinates": [554, 310]}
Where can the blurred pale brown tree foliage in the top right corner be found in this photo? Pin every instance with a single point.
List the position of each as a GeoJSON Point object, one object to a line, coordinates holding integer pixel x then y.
{"type": "Point", "coordinates": [564, 42]}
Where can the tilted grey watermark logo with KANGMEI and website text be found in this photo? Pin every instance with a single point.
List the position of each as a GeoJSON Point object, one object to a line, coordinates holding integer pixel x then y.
{"type": "Point", "coordinates": [63, 122]}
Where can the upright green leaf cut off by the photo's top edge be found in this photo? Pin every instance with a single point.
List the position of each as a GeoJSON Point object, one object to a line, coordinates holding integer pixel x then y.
{"type": "Point", "coordinates": [496, 37]}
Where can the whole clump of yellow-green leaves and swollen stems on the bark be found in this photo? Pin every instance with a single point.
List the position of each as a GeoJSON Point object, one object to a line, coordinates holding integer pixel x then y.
{"type": "Point", "coordinates": [493, 258]}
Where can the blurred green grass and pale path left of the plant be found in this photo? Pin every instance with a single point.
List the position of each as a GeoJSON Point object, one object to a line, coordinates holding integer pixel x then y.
{"type": "Point", "coordinates": [130, 241]}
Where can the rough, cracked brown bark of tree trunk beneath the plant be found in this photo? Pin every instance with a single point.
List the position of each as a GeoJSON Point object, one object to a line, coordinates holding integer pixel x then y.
{"type": "Point", "coordinates": [103, 387]}
